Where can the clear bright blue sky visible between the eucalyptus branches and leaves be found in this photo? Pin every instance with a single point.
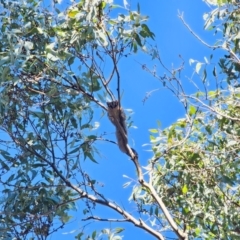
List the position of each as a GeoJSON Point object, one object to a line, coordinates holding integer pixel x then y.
{"type": "Point", "coordinates": [172, 39]}
